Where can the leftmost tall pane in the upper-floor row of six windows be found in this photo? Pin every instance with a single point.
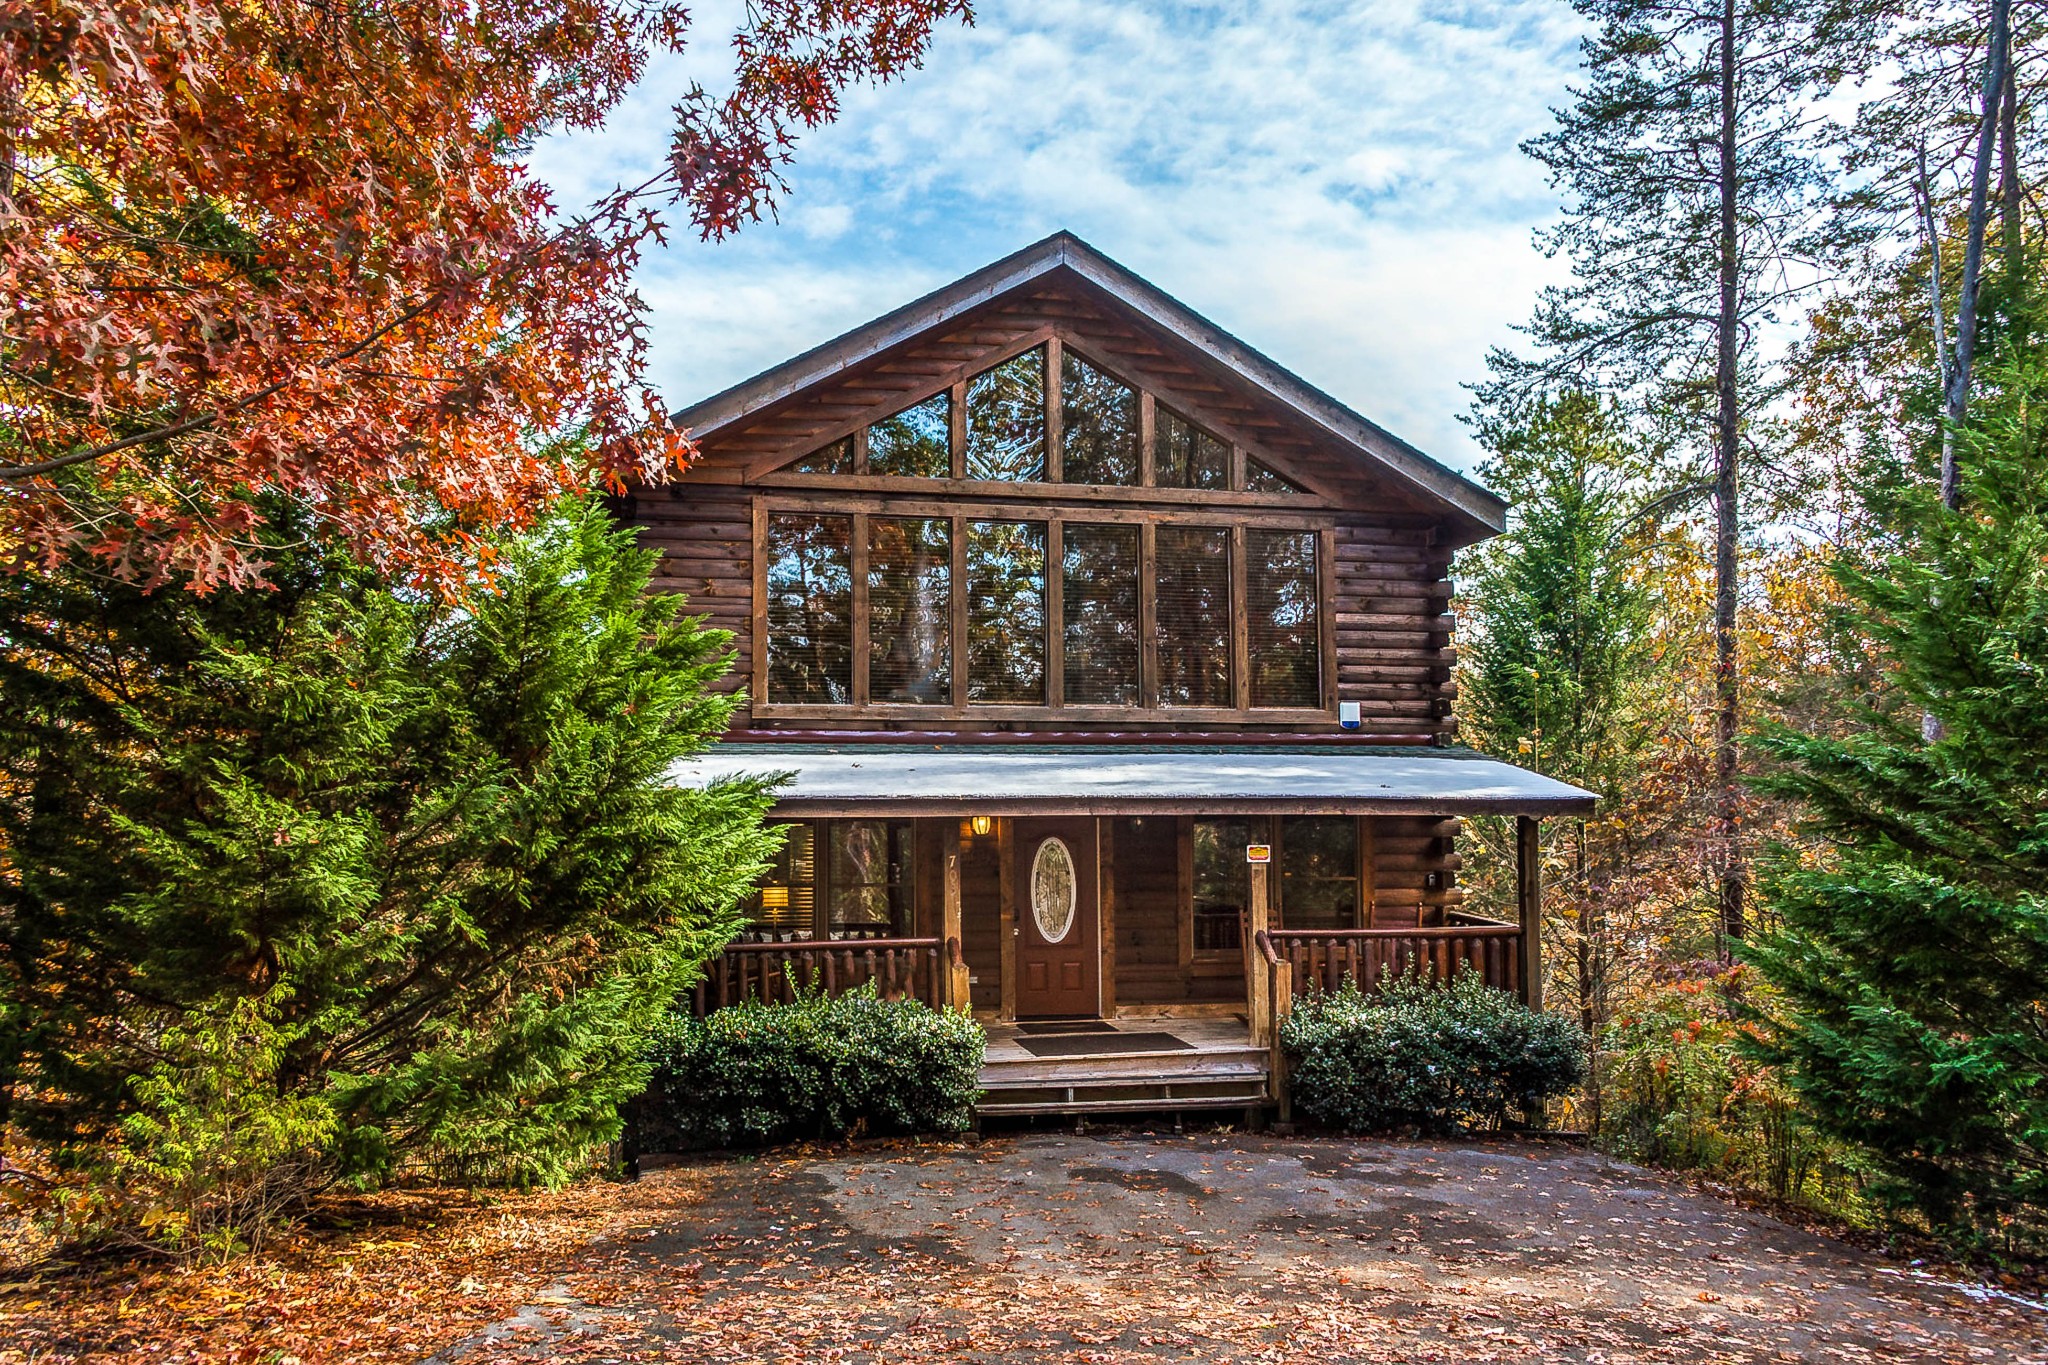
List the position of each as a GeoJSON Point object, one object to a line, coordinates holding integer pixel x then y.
{"type": "Point", "coordinates": [810, 609]}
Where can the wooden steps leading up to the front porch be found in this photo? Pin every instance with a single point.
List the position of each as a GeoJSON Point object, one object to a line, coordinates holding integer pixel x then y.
{"type": "Point", "coordinates": [1218, 1071]}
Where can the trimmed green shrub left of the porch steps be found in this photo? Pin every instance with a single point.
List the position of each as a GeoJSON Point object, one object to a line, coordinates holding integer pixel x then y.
{"type": "Point", "coordinates": [814, 1069]}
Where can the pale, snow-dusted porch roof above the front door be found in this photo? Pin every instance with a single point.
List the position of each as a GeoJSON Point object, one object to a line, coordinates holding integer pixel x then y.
{"type": "Point", "coordinates": [1013, 779]}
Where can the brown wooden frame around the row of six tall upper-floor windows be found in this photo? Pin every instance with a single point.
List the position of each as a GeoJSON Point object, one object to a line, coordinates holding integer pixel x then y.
{"type": "Point", "coordinates": [1054, 517]}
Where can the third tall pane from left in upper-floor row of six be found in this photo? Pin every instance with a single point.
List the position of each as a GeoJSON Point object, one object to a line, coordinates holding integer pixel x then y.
{"type": "Point", "coordinates": [1007, 613]}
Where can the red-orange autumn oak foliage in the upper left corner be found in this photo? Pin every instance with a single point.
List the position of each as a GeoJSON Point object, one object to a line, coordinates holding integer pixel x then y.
{"type": "Point", "coordinates": [288, 249]}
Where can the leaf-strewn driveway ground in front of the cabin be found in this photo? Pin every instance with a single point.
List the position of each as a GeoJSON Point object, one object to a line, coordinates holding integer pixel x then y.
{"type": "Point", "coordinates": [1232, 1247]}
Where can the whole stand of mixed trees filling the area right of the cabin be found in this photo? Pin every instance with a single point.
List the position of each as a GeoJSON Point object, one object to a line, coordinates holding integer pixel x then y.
{"type": "Point", "coordinates": [1775, 588]}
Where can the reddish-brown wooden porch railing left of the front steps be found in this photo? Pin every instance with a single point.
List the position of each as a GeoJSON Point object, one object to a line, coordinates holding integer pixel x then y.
{"type": "Point", "coordinates": [773, 973]}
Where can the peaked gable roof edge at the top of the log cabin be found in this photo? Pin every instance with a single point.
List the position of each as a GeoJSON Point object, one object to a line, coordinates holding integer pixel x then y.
{"type": "Point", "coordinates": [1441, 486]}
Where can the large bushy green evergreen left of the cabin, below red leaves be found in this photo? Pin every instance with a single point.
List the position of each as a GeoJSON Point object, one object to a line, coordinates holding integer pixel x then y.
{"type": "Point", "coordinates": [421, 861]}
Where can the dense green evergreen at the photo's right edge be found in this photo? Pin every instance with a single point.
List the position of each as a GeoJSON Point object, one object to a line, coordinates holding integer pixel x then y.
{"type": "Point", "coordinates": [1912, 965]}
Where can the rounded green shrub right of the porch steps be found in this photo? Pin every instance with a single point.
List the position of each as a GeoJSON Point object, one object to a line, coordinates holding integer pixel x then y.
{"type": "Point", "coordinates": [1422, 1057]}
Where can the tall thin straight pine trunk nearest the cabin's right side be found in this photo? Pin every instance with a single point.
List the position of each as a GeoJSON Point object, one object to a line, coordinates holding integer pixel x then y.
{"type": "Point", "coordinates": [1727, 513]}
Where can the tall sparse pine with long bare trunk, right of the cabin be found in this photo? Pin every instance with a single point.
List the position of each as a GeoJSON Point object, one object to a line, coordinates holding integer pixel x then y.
{"type": "Point", "coordinates": [1693, 216]}
